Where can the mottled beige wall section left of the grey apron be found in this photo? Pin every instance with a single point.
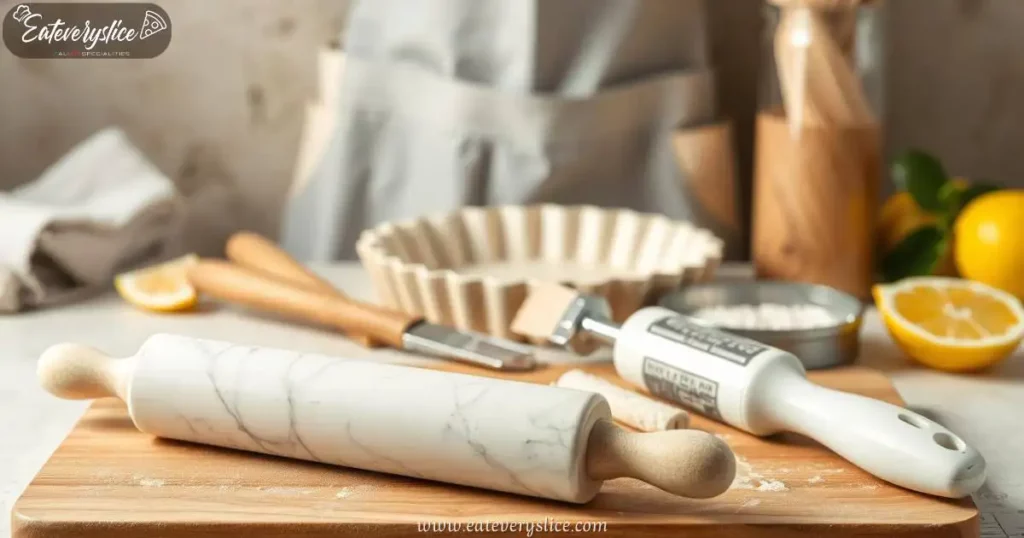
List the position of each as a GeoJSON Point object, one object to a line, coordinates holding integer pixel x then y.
{"type": "Point", "coordinates": [221, 111]}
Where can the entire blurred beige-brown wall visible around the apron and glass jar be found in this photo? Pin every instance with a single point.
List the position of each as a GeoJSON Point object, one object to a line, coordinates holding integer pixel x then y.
{"type": "Point", "coordinates": [221, 111]}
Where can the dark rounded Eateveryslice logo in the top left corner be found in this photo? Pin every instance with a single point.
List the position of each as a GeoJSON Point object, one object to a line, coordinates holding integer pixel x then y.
{"type": "Point", "coordinates": [92, 30]}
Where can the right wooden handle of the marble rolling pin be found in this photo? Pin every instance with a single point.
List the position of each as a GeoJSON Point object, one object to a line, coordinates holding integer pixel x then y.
{"type": "Point", "coordinates": [685, 463]}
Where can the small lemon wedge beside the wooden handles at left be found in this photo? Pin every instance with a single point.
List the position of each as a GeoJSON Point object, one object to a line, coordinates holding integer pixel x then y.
{"type": "Point", "coordinates": [160, 288]}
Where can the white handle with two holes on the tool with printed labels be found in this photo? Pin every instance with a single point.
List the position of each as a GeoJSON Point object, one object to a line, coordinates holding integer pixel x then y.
{"type": "Point", "coordinates": [887, 441]}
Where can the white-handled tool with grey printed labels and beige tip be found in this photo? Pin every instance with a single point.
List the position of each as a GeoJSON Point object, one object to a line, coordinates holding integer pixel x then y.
{"type": "Point", "coordinates": [760, 390]}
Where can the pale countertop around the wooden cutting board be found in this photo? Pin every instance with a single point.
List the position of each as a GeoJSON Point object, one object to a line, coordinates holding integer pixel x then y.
{"type": "Point", "coordinates": [986, 410]}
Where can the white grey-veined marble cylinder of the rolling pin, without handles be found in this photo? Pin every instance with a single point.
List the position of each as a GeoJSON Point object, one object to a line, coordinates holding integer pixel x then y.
{"type": "Point", "coordinates": [499, 435]}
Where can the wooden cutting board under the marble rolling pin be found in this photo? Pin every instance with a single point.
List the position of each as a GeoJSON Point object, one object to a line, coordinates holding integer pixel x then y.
{"type": "Point", "coordinates": [110, 481]}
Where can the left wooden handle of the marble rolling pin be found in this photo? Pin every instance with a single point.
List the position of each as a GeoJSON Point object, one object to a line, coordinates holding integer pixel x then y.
{"type": "Point", "coordinates": [79, 373]}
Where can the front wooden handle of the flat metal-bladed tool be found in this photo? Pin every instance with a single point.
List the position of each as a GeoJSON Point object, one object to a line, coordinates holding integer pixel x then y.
{"type": "Point", "coordinates": [242, 286]}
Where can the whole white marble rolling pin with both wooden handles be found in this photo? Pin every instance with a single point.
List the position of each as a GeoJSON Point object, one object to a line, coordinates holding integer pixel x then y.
{"type": "Point", "coordinates": [521, 438]}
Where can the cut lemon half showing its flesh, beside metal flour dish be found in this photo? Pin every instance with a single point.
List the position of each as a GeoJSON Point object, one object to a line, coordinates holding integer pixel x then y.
{"type": "Point", "coordinates": [952, 324]}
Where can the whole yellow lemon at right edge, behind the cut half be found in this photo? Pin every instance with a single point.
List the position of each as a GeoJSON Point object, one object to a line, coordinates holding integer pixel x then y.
{"type": "Point", "coordinates": [990, 238]}
